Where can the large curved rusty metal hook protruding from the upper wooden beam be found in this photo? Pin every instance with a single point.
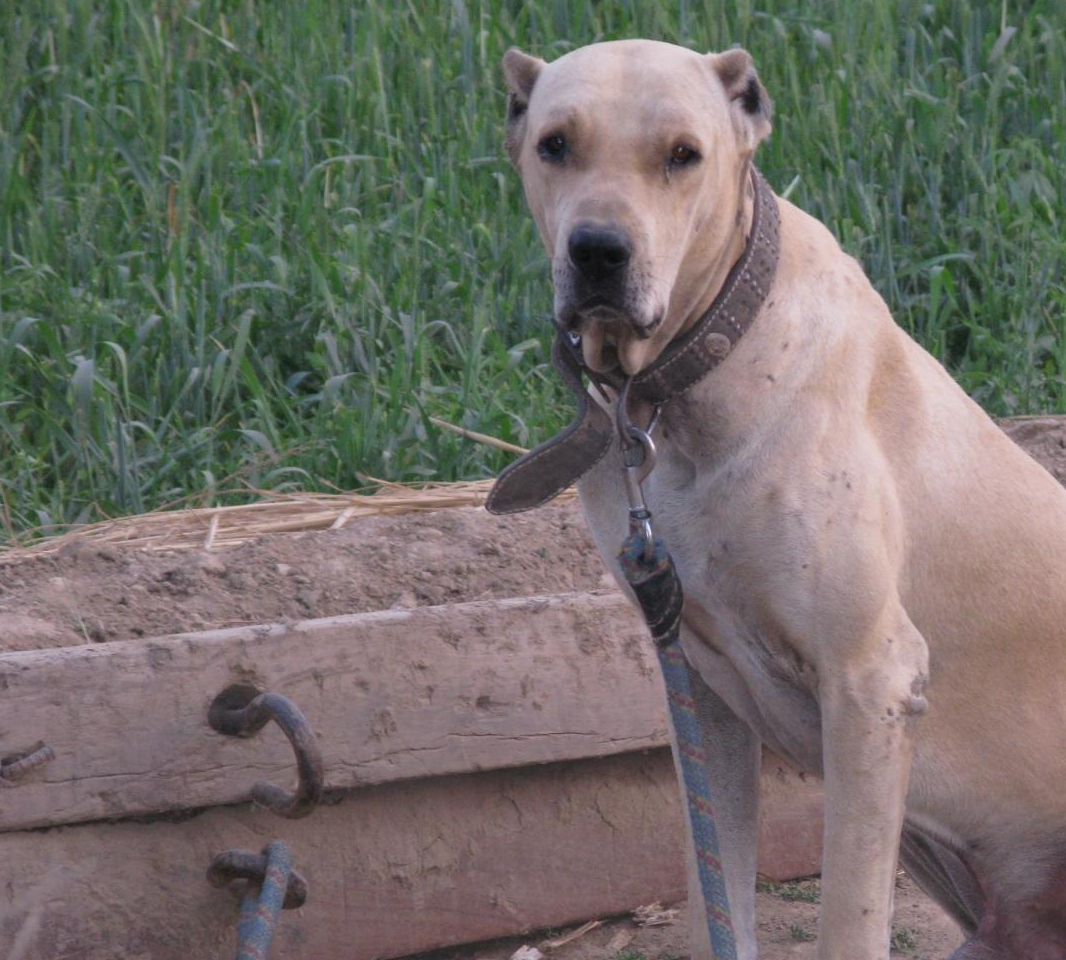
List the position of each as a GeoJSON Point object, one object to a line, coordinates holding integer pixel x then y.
{"type": "Point", "coordinates": [243, 711]}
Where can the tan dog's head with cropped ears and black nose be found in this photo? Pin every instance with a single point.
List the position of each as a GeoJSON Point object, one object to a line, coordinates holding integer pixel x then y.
{"type": "Point", "coordinates": [634, 156]}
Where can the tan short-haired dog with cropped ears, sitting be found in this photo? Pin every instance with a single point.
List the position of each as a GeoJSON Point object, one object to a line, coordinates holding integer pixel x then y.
{"type": "Point", "coordinates": [876, 576]}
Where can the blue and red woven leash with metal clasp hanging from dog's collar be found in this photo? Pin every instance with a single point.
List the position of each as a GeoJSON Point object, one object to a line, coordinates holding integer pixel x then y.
{"type": "Point", "coordinates": [650, 571]}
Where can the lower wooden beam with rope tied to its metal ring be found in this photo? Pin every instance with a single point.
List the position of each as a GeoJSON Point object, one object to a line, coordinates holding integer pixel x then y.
{"type": "Point", "coordinates": [392, 870]}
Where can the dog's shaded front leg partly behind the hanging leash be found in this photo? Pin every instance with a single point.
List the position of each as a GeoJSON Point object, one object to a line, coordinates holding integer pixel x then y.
{"type": "Point", "coordinates": [734, 754]}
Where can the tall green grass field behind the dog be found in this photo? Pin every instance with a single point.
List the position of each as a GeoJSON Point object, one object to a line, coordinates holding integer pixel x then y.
{"type": "Point", "coordinates": [251, 246]}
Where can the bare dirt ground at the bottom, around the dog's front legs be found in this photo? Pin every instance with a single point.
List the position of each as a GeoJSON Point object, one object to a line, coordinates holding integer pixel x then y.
{"type": "Point", "coordinates": [787, 917]}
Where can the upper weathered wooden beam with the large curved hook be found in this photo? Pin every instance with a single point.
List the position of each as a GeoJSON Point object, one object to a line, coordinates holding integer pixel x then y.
{"type": "Point", "coordinates": [393, 696]}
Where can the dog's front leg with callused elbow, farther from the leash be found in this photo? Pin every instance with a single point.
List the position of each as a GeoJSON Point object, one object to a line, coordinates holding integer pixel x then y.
{"type": "Point", "coordinates": [870, 695]}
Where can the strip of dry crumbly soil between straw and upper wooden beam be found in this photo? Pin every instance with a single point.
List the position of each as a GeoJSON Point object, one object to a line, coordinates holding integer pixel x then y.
{"type": "Point", "coordinates": [94, 594]}
